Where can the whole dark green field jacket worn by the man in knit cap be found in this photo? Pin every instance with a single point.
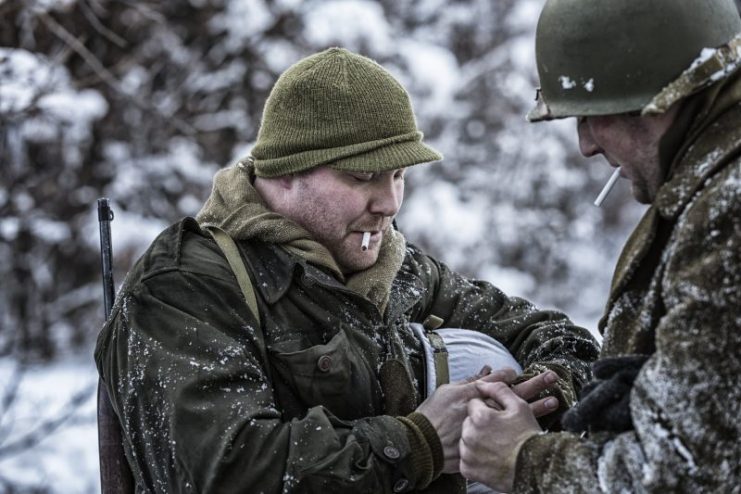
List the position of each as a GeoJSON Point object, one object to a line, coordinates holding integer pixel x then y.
{"type": "Point", "coordinates": [180, 362]}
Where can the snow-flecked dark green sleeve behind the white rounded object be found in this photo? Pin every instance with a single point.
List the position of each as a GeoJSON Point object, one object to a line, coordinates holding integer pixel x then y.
{"type": "Point", "coordinates": [538, 339]}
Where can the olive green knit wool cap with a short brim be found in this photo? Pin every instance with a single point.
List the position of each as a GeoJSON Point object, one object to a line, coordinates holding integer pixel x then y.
{"type": "Point", "coordinates": [341, 109]}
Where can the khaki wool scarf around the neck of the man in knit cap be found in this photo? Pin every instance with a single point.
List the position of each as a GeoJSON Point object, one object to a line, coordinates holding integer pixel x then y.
{"type": "Point", "coordinates": [237, 208]}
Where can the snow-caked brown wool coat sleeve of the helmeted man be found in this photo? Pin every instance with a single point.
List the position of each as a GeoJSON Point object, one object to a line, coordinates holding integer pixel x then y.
{"type": "Point", "coordinates": [686, 398]}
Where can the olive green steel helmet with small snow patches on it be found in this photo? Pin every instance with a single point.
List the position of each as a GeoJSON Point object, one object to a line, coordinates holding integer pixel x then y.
{"type": "Point", "coordinates": [603, 57]}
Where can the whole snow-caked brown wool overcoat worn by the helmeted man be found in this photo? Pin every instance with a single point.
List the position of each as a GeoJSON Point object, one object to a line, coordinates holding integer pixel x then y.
{"type": "Point", "coordinates": [676, 296]}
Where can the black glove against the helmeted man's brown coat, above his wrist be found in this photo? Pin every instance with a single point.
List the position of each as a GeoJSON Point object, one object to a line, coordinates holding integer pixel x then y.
{"type": "Point", "coordinates": [604, 403]}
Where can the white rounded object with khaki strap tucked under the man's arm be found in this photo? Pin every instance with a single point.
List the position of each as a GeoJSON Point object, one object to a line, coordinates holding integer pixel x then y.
{"type": "Point", "coordinates": [468, 351]}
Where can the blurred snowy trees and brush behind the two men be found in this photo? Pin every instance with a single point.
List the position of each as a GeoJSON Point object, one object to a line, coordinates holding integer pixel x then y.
{"type": "Point", "coordinates": [142, 101]}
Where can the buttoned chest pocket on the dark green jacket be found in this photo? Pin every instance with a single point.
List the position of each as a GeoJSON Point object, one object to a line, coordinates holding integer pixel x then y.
{"type": "Point", "coordinates": [330, 375]}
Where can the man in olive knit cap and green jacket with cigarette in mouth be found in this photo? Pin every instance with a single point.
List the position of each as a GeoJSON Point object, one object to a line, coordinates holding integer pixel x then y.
{"type": "Point", "coordinates": [261, 349]}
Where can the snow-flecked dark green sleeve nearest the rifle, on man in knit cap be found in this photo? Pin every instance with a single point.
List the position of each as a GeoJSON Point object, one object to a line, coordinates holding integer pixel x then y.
{"type": "Point", "coordinates": [198, 411]}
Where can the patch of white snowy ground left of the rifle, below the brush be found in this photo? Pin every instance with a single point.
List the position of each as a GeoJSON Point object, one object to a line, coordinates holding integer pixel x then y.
{"type": "Point", "coordinates": [66, 461]}
